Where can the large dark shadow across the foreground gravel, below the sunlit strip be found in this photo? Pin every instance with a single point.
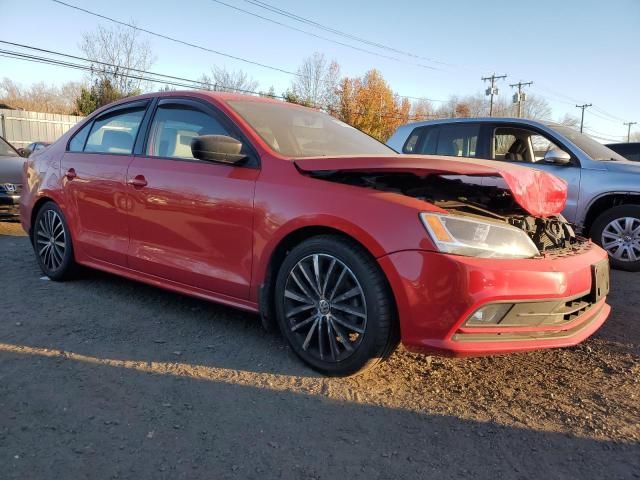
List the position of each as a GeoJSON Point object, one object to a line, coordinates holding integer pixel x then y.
{"type": "Point", "coordinates": [77, 418]}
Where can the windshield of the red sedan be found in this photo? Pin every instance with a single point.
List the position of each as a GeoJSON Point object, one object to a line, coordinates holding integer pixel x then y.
{"type": "Point", "coordinates": [302, 132]}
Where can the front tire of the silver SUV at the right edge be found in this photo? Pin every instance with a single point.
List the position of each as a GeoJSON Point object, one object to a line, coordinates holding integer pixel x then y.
{"type": "Point", "coordinates": [602, 232]}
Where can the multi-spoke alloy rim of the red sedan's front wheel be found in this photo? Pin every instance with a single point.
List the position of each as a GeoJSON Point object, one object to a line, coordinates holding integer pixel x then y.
{"type": "Point", "coordinates": [325, 307]}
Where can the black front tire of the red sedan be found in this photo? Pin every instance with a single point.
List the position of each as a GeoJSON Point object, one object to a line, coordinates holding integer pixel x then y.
{"type": "Point", "coordinates": [379, 335]}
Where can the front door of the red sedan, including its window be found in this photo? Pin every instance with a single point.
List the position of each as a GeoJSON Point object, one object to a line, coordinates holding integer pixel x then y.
{"type": "Point", "coordinates": [191, 220]}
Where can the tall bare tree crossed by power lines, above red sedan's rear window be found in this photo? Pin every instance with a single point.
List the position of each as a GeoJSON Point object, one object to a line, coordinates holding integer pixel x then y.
{"type": "Point", "coordinates": [121, 52]}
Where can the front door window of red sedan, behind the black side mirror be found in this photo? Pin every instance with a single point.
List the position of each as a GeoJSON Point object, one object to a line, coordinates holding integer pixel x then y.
{"type": "Point", "coordinates": [173, 128]}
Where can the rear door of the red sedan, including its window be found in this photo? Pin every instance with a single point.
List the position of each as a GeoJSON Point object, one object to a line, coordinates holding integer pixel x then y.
{"type": "Point", "coordinates": [95, 168]}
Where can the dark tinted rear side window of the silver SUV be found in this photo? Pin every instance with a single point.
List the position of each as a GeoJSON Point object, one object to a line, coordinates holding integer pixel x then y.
{"type": "Point", "coordinates": [459, 140]}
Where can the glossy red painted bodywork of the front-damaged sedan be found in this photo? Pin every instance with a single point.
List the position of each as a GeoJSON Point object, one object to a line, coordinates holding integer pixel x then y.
{"type": "Point", "coordinates": [210, 230]}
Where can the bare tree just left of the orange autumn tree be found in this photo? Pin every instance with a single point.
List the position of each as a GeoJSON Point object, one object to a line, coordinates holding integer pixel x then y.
{"type": "Point", "coordinates": [317, 82]}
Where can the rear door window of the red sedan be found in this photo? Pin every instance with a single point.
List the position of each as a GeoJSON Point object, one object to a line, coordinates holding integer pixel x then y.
{"type": "Point", "coordinates": [115, 132]}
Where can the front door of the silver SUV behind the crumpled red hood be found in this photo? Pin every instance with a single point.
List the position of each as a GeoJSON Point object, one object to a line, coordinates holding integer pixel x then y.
{"type": "Point", "coordinates": [533, 144]}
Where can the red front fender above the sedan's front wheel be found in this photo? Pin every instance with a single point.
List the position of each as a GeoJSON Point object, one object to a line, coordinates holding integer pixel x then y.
{"type": "Point", "coordinates": [287, 201]}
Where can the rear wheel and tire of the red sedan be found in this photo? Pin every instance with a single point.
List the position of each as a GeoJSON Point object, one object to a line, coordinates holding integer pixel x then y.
{"type": "Point", "coordinates": [56, 259]}
